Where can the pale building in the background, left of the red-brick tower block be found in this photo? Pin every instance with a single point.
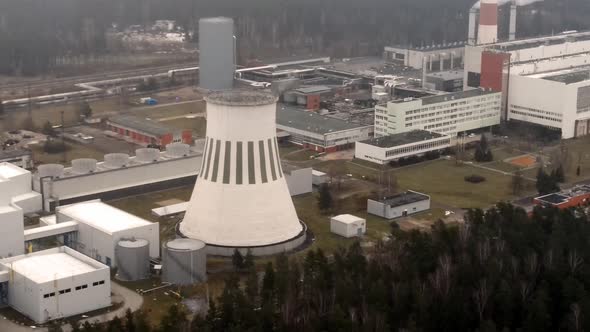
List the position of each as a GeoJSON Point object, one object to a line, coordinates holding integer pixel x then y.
{"type": "Point", "coordinates": [438, 57]}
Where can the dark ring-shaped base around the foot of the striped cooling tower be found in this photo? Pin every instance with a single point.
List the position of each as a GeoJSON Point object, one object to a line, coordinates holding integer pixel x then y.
{"type": "Point", "coordinates": [266, 250]}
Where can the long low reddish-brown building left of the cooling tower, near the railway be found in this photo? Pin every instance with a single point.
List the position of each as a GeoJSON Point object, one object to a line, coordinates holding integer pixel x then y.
{"type": "Point", "coordinates": [147, 132]}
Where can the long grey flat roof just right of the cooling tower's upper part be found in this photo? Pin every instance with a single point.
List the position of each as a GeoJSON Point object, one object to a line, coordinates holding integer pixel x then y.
{"type": "Point", "coordinates": [311, 121]}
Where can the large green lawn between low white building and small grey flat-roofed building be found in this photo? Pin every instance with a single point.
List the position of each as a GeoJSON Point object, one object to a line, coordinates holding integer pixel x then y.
{"type": "Point", "coordinates": [444, 182]}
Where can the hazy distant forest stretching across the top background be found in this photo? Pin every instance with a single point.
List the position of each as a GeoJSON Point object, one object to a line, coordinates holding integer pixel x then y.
{"type": "Point", "coordinates": [35, 35]}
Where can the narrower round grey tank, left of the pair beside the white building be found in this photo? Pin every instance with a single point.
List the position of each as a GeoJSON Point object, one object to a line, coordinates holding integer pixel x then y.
{"type": "Point", "coordinates": [132, 257]}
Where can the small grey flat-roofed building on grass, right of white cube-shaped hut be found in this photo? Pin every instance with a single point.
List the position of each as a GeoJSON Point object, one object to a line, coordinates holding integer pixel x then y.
{"type": "Point", "coordinates": [399, 205]}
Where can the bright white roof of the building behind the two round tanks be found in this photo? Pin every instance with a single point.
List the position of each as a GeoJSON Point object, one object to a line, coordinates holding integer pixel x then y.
{"type": "Point", "coordinates": [102, 216]}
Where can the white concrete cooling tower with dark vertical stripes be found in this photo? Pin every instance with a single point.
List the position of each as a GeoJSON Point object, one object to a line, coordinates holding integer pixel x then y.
{"type": "Point", "coordinates": [241, 199]}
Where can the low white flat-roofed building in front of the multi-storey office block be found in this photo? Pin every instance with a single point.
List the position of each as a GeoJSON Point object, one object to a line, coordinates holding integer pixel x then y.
{"type": "Point", "coordinates": [379, 151]}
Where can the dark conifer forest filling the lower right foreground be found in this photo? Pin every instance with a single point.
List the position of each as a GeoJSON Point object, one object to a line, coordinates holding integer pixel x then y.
{"type": "Point", "coordinates": [500, 271]}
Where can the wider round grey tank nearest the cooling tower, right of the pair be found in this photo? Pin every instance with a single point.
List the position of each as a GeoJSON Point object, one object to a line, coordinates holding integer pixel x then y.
{"type": "Point", "coordinates": [184, 262]}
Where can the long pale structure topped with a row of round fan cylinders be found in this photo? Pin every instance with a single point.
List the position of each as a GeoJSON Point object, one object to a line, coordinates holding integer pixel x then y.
{"type": "Point", "coordinates": [119, 175]}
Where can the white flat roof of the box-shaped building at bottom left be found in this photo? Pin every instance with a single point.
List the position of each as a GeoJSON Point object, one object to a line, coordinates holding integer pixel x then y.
{"type": "Point", "coordinates": [48, 267]}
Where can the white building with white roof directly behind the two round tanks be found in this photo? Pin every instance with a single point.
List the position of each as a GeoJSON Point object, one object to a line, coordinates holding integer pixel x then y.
{"type": "Point", "coordinates": [101, 227]}
